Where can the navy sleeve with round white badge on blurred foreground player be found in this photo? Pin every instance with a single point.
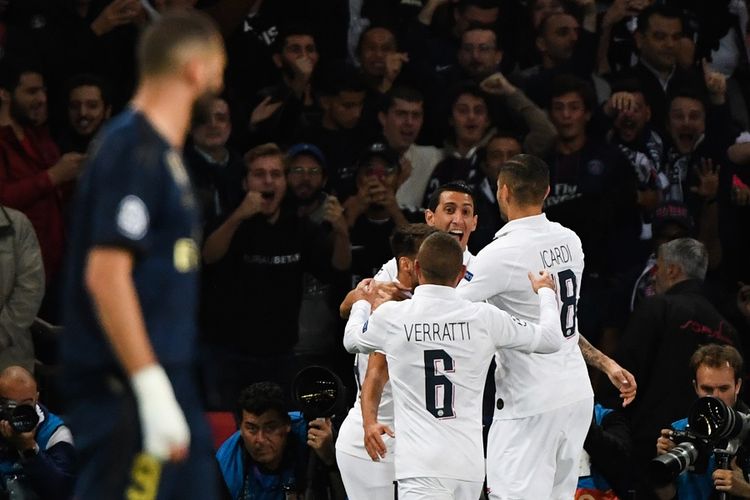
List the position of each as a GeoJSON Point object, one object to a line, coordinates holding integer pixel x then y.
{"type": "Point", "coordinates": [127, 184]}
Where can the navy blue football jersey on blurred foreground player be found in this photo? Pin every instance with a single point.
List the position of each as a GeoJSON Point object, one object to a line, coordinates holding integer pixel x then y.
{"type": "Point", "coordinates": [135, 194]}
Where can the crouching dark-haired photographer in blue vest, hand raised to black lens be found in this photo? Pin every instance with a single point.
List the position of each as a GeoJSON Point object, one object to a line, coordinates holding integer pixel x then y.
{"type": "Point", "coordinates": [269, 457]}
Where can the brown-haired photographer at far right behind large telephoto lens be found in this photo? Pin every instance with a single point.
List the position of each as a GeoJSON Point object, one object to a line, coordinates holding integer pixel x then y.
{"type": "Point", "coordinates": [717, 372]}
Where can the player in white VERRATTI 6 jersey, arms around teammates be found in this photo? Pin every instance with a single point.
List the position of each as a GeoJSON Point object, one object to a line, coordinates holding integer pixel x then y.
{"type": "Point", "coordinates": [438, 349]}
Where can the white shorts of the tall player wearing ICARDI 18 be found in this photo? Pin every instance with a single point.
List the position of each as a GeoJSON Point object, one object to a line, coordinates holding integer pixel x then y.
{"type": "Point", "coordinates": [538, 456]}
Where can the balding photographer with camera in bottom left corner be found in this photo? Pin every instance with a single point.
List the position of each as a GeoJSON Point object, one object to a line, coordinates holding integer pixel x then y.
{"type": "Point", "coordinates": [36, 448]}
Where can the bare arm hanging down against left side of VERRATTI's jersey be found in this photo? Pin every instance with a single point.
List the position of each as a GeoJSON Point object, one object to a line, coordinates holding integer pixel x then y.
{"type": "Point", "coordinates": [372, 390]}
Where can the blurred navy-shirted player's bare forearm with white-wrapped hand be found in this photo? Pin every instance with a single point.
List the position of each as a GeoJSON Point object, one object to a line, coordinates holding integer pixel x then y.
{"type": "Point", "coordinates": [109, 281]}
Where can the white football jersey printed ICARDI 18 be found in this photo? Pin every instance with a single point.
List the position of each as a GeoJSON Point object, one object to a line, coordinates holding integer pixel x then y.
{"type": "Point", "coordinates": [533, 384]}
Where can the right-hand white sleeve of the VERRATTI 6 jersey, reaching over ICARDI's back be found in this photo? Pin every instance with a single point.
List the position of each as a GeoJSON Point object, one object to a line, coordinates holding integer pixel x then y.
{"type": "Point", "coordinates": [513, 333]}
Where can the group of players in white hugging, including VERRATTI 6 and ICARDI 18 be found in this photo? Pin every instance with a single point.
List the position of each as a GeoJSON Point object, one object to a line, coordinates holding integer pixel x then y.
{"type": "Point", "coordinates": [430, 352]}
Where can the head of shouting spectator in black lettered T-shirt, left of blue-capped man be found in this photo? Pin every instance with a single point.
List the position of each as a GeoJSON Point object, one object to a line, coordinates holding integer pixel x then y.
{"type": "Point", "coordinates": [264, 173]}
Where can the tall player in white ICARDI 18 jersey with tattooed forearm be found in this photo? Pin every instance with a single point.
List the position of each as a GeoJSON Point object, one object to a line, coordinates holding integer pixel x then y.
{"type": "Point", "coordinates": [544, 401]}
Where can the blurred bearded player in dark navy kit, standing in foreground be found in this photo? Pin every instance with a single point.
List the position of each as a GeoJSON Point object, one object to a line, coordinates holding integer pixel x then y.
{"type": "Point", "coordinates": [132, 282]}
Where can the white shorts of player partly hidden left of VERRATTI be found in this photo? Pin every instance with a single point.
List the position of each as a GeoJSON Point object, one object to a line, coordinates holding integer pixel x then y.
{"type": "Point", "coordinates": [365, 479]}
